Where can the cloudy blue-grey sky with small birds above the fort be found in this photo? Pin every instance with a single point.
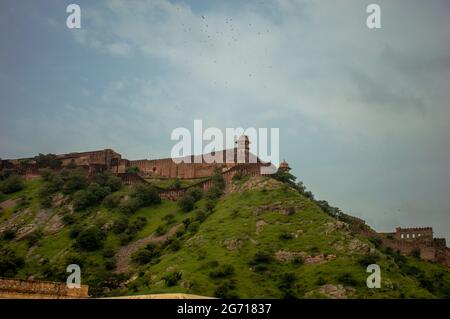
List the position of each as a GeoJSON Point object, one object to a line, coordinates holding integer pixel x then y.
{"type": "Point", "coordinates": [363, 113]}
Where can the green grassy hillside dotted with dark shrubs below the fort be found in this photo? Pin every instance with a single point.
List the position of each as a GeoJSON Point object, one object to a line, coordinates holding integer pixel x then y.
{"type": "Point", "coordinates": [261, 240]}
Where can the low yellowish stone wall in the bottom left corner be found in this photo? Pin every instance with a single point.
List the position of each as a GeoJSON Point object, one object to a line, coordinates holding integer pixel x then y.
{"type": "Point", "coordinates": [30, 289]}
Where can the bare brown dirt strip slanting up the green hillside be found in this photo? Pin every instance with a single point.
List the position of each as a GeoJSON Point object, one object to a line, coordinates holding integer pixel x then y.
{"type": "Point", "coordinates": [124, 255]}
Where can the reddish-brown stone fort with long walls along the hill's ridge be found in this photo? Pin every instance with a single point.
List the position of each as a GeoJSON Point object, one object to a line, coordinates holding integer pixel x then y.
{"type": "Point", "coordinates": [197, 172]}
